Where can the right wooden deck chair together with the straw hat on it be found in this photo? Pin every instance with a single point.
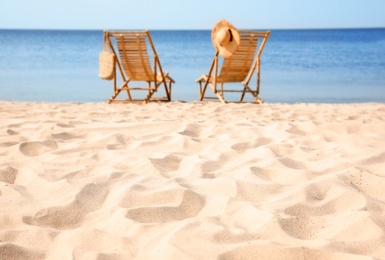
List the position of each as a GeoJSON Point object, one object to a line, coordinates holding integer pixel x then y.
{"type": "Point", "coordinates": [241, 52]}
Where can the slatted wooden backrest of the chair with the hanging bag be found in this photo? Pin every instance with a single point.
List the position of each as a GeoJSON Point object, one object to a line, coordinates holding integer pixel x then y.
{"type": "Point", "coordinates": [134, 55]}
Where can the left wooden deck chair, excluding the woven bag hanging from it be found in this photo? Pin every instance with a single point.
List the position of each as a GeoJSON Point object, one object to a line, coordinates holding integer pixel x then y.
{"type": "Point", "coordinates": [133, 64]}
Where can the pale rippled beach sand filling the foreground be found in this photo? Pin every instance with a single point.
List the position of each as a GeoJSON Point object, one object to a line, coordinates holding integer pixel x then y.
{"type": "Point", "coordinates": [190, 180]}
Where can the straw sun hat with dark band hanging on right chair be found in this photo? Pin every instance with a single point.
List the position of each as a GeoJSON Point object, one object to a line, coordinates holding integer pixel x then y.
{"type": "Point", "coordinates": [225, 38]}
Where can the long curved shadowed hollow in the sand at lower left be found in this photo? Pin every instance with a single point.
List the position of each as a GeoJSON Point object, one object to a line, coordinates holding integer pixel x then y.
{"type": "Point", "coordinates": [89, 199]}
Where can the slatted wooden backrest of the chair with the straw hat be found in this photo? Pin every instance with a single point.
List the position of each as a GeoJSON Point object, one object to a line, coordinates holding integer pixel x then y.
{"type": "Point", "coordinates": [237, 67]}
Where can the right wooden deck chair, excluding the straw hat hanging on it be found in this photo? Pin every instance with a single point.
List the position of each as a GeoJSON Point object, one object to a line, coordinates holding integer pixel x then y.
{"type": "Point", "coordinates": [239, 68]}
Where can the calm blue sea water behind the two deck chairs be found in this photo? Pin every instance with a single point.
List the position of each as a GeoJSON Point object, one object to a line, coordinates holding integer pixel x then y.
{"type": "Point", "coordinates": [332, 66]}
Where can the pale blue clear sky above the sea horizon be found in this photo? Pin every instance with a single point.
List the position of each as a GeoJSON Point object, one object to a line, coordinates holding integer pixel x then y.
{"type": "Point", "coordinates": [195, 14]}
